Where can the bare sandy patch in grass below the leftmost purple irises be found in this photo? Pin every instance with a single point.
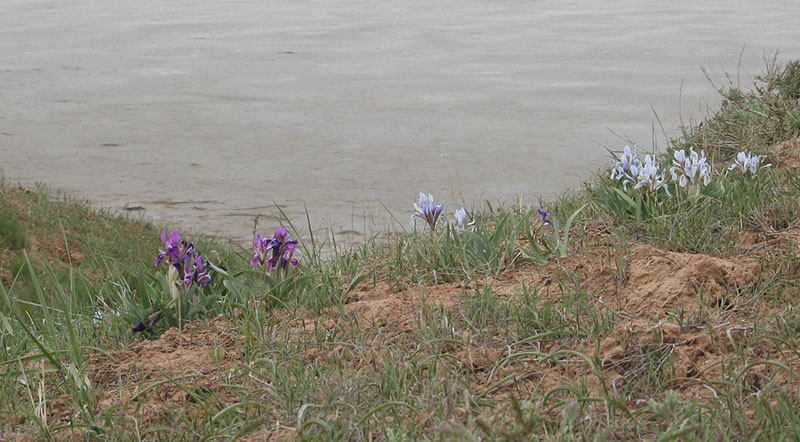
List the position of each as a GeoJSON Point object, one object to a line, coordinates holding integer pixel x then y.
{"type": "Point", "coordinates": [197, 359]}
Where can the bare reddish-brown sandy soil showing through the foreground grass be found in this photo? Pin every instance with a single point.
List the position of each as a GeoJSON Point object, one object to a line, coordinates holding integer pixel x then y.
{"type": "Point", "coordinates": [657, 282]}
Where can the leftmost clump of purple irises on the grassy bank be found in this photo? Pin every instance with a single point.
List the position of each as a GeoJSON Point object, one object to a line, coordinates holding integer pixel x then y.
{"type": "Point", "coordinates": [181, 254]}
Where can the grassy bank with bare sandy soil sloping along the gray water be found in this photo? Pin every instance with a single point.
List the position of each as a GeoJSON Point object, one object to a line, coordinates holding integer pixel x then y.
{"type": "Point", "coordinates": [637, 308]}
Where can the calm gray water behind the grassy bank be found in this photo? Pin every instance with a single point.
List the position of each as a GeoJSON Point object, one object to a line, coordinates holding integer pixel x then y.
{"type": "Point", "coordinates": [205, 113]}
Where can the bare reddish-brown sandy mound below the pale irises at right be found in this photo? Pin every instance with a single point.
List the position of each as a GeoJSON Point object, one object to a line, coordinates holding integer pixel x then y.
{"type": "Point", "coordinates": [660, 281]}
